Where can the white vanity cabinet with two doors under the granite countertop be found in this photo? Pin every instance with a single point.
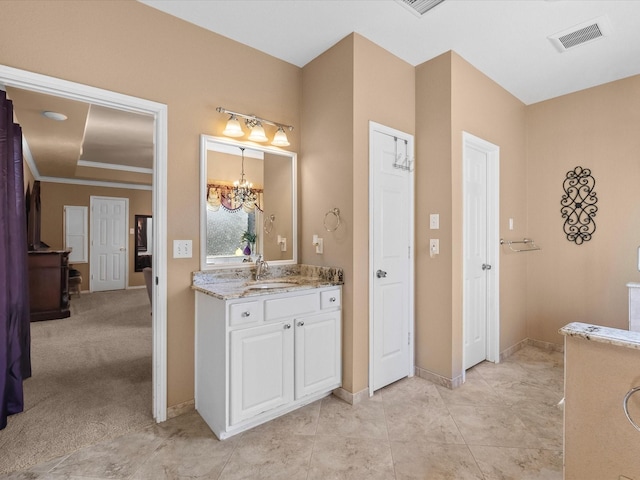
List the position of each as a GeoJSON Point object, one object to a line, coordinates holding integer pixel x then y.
{"type": "Point", "coordinates": [262, 356]}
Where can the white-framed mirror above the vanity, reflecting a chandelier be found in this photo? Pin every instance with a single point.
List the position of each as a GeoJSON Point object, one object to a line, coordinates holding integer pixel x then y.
{"type": "Point", "coordinates": [248, 204]}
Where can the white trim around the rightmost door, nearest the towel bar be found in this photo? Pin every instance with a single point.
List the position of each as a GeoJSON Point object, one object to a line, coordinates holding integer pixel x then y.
{"type": "Point", "coordinates": [493, 242]}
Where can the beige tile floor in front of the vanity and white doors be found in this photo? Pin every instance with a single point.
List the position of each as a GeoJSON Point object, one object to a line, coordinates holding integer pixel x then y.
{"type": "Point", "coordinates": [503, 423]}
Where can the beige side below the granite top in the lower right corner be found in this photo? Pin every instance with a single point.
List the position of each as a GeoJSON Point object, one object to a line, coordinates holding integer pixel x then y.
{"type": "Point", "coordinates": [599, 440]}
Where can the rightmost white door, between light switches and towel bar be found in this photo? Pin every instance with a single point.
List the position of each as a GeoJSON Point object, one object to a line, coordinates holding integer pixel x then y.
{"type": "Point", "coordinates": [479, 267]}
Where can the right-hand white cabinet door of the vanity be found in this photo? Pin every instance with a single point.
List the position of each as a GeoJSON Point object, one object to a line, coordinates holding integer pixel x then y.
{"type": "Point", "coordinates": [317, 352]}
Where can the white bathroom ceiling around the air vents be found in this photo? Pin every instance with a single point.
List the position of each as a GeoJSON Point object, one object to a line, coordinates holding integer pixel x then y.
{"type": "Point", "coordinates": [505, 39]}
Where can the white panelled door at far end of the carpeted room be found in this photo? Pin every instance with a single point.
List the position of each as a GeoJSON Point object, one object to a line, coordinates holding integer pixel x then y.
{"type": "Point", "coordinates": [108, 243]}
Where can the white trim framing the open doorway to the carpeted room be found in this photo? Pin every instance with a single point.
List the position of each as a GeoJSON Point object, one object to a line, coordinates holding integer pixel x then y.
{"type": "Point", "coordinates": [76, 91]}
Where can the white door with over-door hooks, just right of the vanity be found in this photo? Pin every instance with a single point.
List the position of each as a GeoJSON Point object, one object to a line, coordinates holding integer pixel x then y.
{"type": "Point", "coordinates": [391, 192]}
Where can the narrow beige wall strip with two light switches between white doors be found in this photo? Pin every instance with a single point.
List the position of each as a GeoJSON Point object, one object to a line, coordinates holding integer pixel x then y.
{"type": "Point", "coordinates": [433, 195]}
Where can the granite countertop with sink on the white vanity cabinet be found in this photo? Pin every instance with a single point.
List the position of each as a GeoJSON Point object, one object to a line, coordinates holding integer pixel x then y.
{"type": "Point", "coordinates": [237, 283]}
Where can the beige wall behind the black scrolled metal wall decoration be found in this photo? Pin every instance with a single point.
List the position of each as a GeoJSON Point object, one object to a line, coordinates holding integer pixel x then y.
{"type": "Point", "coordinates": [596, 129]}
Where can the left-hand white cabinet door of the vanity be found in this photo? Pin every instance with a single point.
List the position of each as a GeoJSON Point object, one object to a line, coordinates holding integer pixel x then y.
{"type": "Point", "coordinates": [261, 370]}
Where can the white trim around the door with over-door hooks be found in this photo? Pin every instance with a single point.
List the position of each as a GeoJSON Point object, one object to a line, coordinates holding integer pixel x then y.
{"type": "Point", "coordinates": [376, 127]}
